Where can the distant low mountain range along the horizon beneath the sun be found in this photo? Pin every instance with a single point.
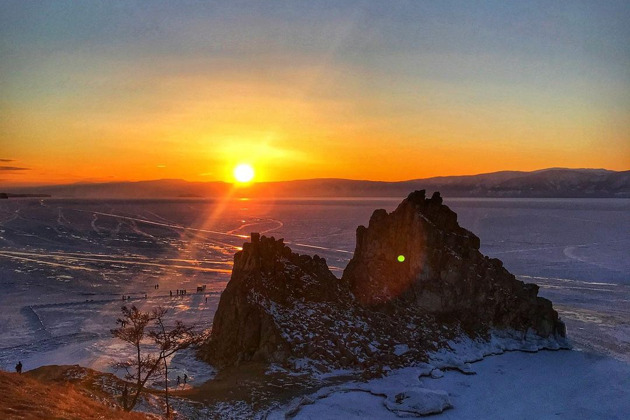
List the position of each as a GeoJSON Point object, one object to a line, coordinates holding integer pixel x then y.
{"type": "Point", "coordinates": [546, 183]}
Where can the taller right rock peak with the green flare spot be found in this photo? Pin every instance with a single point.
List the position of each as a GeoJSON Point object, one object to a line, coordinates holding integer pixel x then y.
{"type": "Point", "coordinates": [418, 255]}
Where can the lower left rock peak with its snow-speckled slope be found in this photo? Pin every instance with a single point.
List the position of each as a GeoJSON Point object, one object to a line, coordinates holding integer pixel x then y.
{"type": "Point", "coordinates": [283, 307]}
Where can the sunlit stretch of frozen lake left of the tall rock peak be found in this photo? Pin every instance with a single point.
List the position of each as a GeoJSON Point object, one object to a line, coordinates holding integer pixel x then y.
{"type": "Point", "coordinates": [66, 264]}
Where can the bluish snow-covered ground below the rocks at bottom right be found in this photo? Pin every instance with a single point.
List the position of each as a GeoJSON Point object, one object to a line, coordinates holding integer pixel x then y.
{"type": "Point", "coordinates": [543, 385]}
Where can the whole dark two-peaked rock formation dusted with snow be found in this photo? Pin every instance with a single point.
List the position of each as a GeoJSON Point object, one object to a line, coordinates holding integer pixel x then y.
{"type": "Point", "coordinates": [417, 279]}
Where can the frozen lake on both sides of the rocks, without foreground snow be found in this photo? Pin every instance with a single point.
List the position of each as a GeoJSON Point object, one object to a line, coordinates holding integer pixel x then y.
{"type": "Point", "coordinates": [65, 264]}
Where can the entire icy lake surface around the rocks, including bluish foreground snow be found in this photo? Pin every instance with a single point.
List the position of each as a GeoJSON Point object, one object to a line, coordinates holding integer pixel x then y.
{"type": "Point", "coordinates": [65, 265]}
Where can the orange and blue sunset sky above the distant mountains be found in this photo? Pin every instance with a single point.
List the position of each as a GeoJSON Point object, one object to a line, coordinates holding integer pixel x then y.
{"type": "Point", "coordinates": [389, 90]}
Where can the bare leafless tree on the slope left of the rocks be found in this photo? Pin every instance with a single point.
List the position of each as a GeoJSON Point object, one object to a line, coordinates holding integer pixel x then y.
{"type": "Point", "coordinates": [136, 328]}
